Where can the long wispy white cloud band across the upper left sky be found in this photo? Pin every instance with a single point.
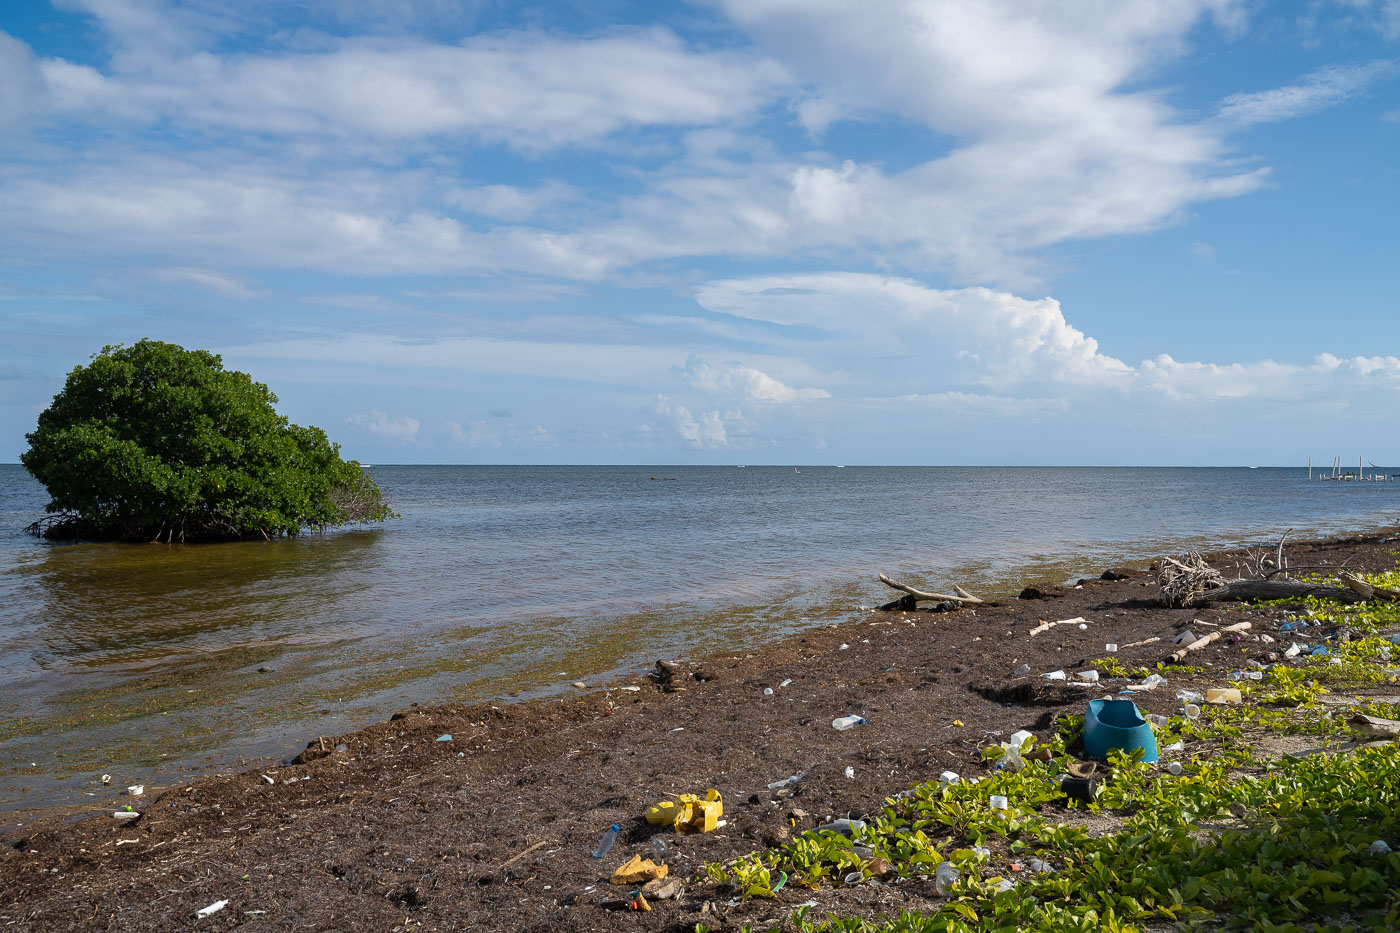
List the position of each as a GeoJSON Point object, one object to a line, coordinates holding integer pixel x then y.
{"type": "Point", "coordinates": [527, 90]}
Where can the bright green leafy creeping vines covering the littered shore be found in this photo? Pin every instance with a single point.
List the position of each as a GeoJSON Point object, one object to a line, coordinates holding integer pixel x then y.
{"type": "Point", "coordinates": [1244, 838]}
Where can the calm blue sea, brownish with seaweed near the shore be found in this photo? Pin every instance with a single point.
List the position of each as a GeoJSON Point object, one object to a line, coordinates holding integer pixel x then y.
{"type": "Point", "coordinates": [500, 582]}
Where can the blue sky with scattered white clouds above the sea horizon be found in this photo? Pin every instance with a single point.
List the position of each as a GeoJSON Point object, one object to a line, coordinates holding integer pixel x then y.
{"type": "Point", "coordinates": [1095, 232]}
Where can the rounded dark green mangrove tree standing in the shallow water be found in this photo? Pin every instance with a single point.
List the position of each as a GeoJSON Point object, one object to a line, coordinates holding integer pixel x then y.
{"type": "Point", "coordinates": [153, 442]}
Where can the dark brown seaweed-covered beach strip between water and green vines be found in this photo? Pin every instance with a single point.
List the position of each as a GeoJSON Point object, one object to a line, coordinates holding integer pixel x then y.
{"type": "Point", "coordinates": [485, 817]}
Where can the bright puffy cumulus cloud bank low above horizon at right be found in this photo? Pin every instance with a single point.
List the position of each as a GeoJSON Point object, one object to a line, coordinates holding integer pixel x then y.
{"type": "Point", "coordinates": [981, 337]}
